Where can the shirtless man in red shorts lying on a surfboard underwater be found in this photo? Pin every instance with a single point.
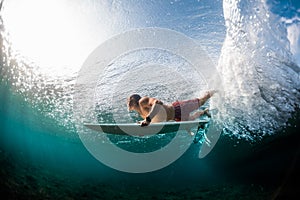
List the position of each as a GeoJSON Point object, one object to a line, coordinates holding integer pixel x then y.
{"type": "Point", "coordinates": [153, 110]}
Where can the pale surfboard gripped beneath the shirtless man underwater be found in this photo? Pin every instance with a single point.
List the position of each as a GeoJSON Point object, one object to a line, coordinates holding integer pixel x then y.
{"type": "Point", "coordinates": [154, 128]}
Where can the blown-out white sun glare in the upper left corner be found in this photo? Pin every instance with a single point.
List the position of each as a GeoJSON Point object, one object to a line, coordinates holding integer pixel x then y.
{"type": "Point", "coordinates": [53, 34]}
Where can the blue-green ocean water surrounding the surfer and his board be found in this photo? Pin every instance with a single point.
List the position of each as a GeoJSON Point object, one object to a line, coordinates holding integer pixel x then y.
{"type": "Point", "coordinates": [252, 47]}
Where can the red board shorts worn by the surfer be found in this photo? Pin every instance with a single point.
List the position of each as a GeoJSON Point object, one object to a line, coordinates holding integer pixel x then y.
{"type": "Point", "coordinates": [184, 108]}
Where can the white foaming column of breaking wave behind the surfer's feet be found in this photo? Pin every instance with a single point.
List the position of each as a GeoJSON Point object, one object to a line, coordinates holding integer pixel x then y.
{"type": "Point", "coordinates": [261, 81]}
